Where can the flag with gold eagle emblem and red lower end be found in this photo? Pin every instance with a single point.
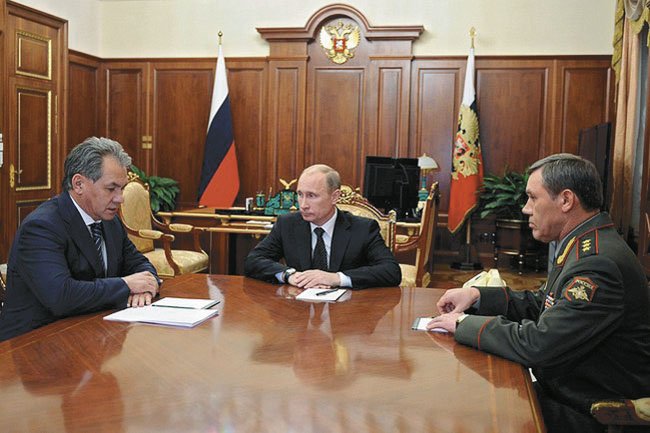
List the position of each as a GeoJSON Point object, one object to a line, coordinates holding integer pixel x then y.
{"type": "Point", "coordinates": [467, 161]}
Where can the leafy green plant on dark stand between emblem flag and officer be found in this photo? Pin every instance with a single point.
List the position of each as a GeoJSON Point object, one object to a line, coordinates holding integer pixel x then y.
{"type": "Point", "coordinates": [504, 197]}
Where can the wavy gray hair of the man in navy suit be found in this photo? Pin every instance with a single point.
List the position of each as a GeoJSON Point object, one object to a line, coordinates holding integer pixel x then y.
{"type": "Point", "coordinates": [87, 159]}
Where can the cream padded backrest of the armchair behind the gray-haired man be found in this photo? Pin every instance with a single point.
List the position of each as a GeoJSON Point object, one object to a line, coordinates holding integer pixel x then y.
{"type": "Point", "coordinates": [135, 212]}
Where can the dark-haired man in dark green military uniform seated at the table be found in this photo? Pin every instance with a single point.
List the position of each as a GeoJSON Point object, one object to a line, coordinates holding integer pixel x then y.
{"type": "Point", "coordinates": [586, 332]}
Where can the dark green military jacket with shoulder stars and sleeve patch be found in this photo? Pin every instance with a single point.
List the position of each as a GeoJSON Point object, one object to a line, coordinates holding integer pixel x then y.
{"type": "Point", "coordinates": [586, 332]}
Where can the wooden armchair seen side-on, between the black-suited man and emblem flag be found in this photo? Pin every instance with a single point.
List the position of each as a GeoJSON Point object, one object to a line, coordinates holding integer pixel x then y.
{"type": "Point", "coordinates": [418, 275]}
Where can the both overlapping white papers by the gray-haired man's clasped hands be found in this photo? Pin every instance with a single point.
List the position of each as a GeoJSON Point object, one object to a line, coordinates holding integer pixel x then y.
{"type": "Point", "coordinates": [181, 312]}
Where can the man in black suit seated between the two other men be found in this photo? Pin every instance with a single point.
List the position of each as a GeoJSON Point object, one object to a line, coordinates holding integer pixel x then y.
{"type": "Point", "coordinates": [322, 246]}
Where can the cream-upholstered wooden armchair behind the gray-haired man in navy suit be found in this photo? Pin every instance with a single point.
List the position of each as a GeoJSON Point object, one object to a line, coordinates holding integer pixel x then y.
{"type": "Point", "coordinates": [143, 229]}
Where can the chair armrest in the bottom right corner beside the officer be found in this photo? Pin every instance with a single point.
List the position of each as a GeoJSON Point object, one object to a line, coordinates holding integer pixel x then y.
{"type": "Point", "coordinates": [616, 414]}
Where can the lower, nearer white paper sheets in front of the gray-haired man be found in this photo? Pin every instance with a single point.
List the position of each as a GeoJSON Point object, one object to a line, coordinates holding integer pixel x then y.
{"type": "Point", "coordinates": [185, 317]}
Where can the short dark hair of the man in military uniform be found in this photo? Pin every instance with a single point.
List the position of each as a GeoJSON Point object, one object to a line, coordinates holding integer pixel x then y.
{"type": "Point", "coordinates": [566, 171]}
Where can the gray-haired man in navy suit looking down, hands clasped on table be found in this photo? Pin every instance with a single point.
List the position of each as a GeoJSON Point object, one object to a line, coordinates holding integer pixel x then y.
{"type": "Point", "coordinates": [71, 255]}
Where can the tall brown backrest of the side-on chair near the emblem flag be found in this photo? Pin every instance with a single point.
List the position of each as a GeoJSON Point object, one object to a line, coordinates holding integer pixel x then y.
{"type": "Point", "coordinates": [428, 224]}
